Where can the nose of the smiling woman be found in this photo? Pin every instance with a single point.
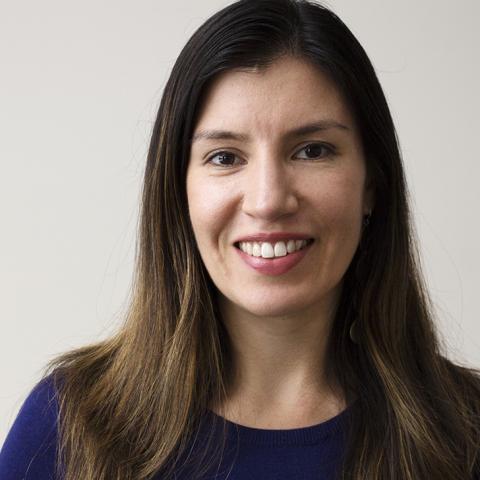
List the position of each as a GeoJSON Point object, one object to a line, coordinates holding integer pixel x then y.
{"type": "Point", "coordinates": [269, 193]}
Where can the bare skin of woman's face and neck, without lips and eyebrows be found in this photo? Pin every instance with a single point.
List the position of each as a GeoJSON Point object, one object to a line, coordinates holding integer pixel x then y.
{"type": "Point", "coordinates": [279, 325]}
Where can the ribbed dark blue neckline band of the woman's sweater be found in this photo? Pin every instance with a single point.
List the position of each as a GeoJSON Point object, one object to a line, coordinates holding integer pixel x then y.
{"type": "Point", "coordinates": [294, 436]}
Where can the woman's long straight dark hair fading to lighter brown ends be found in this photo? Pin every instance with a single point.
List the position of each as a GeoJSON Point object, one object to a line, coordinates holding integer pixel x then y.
{"type": "Point", "coordinates": [129, 405]}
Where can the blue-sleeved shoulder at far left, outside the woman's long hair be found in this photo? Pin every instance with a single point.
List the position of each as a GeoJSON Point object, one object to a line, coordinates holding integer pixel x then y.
{"type": "Point", "coordinates": [30, 447]}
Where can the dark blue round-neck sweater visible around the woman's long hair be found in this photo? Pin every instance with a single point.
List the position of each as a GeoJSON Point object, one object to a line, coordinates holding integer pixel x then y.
{"type": "Point", "coordinates": [302, 453]}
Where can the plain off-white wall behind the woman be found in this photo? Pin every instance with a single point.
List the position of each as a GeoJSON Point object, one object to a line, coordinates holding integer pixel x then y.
{"type": "Point", "coordinates": [80, 83]}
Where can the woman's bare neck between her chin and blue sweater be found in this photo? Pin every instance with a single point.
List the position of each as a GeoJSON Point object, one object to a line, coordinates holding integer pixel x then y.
{"type": "Point", "coordinates": [279, 368]}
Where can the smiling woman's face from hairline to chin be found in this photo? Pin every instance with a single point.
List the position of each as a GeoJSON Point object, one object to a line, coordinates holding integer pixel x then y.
{"type": "Point", "coordinates": [276, 158]}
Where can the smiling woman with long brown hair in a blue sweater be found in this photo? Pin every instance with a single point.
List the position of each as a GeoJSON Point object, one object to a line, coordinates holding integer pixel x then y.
{"type": "Point", "coordinates": [277, 289]}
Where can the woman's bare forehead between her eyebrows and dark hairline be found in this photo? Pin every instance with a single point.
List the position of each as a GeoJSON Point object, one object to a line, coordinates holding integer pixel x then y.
{"type": "Point", "coordinates": [288, 92]}
